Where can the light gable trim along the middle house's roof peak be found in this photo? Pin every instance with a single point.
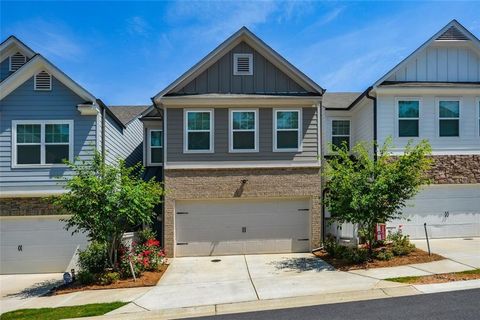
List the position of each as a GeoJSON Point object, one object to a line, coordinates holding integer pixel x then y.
{"type": "Point", "coordinates": [243, 35]}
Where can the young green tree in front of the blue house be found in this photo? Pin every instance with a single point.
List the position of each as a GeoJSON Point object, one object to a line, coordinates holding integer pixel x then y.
{"type": "Point", "coordinates": [105, 201]}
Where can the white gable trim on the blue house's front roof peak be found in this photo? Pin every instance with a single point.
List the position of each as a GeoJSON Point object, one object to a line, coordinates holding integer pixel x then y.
{"type": "Point", "coordinates": [32, 67]}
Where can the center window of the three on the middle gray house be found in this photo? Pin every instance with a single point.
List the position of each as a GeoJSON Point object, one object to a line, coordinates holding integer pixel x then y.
{"type": "Point", "coordinates": [243, 131]}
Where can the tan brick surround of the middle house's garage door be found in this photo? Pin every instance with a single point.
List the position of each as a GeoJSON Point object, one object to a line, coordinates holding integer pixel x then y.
{"type": "Point", "coordinates": [227, 184]}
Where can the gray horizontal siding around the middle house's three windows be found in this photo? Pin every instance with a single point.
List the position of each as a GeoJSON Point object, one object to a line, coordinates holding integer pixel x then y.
{"type": "Point", "coordinates": [175, 139]}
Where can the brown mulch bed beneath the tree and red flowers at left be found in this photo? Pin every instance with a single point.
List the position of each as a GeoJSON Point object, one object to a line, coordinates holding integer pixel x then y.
{"type": "Point", "coordinates": [147, 279]}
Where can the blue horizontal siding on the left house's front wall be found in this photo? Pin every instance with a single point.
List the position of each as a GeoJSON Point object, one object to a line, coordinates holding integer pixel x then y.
{"type": "Point", "coordinates": [24, 103]}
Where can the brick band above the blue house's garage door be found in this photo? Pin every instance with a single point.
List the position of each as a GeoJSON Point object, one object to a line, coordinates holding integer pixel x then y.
{"type": "Point", "coordinates": [34, 206]}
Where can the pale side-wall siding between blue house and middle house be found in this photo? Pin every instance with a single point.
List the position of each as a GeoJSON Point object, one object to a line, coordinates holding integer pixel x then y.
{"type": "Point", "coordinates": [123, 143]}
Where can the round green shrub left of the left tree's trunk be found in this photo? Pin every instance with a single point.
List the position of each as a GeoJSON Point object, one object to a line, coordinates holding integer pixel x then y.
{"type": "Point", "coordinates": [94, 258]}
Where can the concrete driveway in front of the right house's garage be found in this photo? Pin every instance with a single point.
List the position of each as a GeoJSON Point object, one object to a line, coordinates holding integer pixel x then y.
{"type": "Point", "coordinates": [465, 251]}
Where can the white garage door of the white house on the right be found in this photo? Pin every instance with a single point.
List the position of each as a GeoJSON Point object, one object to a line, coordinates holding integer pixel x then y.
{"type": "Point", "coordinates": [449, 210]}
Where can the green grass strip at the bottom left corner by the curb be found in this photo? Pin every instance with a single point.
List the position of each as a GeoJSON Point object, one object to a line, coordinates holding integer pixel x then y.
{"type": "Point", "coordinates": [87, 310]}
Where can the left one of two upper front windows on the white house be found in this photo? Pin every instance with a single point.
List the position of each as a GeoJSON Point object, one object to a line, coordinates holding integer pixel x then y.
{"type": "Point", "coordinates": [408, 118]}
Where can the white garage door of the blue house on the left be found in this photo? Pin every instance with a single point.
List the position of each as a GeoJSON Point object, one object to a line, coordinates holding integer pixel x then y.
{"type": "Point", "coordinates": [36, 245]}
